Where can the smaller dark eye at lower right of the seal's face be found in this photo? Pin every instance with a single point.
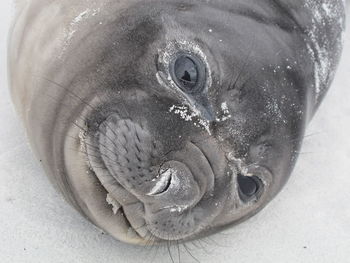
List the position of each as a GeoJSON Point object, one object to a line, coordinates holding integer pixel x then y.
{"type": "Point", "coordinates": [249, 187]}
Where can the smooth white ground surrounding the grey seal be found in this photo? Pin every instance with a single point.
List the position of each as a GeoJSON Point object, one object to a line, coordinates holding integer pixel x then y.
{"type": "Point", "coordinates": [309, 221]}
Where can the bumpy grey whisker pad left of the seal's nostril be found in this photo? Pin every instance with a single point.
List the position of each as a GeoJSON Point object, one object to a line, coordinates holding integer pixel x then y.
{"type": "Point", "coordinates": [129, 153]}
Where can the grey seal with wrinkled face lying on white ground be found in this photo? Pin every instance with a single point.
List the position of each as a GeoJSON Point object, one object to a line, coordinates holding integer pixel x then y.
{"type": "Point", "coordinates": [169, 120]}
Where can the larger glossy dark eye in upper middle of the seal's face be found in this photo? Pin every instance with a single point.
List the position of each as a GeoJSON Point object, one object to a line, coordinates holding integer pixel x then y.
{"type": "Point", "coordinates": [188, 72]}
